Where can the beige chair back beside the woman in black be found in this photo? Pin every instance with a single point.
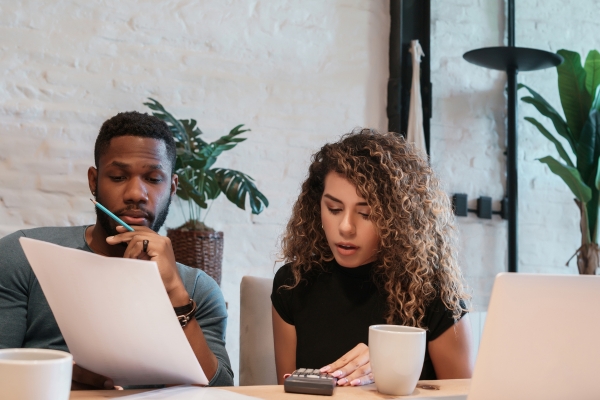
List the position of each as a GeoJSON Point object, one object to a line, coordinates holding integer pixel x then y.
{"type": "Point", "coordinates": [257, 355]}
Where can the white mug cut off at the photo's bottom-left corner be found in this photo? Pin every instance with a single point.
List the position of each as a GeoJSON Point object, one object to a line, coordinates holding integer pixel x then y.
{"type": "Point", "coordinates": [35, 374]}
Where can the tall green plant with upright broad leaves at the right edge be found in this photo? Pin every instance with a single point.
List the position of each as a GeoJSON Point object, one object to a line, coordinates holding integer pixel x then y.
{"type": "Point", "coordinates": [579, 90]}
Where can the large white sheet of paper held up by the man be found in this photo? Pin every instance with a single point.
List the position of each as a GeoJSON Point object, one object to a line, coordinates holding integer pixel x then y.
{"type": "Point", "coordinates": [115, 315]}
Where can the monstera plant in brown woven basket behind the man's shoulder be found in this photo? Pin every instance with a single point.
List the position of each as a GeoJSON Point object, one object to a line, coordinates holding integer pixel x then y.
{"type": "Point", "coordinates": [195, 244]}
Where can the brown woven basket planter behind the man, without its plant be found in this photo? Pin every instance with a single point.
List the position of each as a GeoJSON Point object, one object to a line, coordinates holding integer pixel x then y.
{"type": "Point", "coordinates": [199, 249]}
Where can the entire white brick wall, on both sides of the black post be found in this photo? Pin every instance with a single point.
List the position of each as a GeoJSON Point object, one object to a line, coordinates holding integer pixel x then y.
{"type": "Point", "coordinates": [297, 73]}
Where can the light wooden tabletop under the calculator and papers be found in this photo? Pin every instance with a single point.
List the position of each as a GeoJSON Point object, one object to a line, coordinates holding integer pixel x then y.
{"type": "Point", "coordinates": [447, 387]}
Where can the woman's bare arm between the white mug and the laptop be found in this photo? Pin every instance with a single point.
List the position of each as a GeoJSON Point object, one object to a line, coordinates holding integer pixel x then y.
{"type": "Point", "coordinates": [451, 352]}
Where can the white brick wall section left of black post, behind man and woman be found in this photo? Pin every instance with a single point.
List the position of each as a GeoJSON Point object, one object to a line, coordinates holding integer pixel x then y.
{"type": "Point", "coordinates": [298, 73]}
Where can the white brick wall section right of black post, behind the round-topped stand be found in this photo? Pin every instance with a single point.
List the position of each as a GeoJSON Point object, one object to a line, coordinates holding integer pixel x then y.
{"type": "Point", "coordinates": [468, 131]}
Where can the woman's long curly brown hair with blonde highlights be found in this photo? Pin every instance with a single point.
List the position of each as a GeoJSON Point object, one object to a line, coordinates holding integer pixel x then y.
{"type": "Point", "coordinates": [417, 258]}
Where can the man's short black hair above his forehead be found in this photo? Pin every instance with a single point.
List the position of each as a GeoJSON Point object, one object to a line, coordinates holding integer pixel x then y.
{"type": "Point", "coordinates": [133, 123]}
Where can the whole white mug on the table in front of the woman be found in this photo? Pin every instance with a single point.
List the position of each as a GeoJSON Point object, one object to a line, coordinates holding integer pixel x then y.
{"type": "Point", "coordinates": [397, 354]}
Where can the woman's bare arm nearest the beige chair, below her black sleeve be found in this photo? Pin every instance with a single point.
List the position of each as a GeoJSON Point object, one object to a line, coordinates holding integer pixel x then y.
{"type": "Point", "coordinates": [284, 337]}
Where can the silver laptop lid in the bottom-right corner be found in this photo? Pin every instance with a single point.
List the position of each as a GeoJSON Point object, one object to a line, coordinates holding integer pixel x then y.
{"type": "Point", "coordinates": [541, 339]}
